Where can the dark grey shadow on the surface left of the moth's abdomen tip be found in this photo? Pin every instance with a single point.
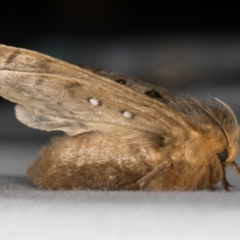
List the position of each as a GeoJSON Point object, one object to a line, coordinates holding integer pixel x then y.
{"type": "Point", "coordinates": [15, 182]}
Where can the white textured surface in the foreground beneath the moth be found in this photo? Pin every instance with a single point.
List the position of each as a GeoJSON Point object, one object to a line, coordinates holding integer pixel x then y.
{"type": "Point", "coordinates": [119, 215]}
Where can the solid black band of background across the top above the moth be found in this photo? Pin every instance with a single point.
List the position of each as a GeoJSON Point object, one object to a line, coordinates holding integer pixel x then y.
{"type": "Point", "coordinates": [25, 21]}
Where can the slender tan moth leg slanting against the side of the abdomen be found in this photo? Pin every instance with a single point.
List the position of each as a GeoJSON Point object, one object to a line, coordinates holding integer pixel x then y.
{"type": "Point", "coordinates": [145, 180]}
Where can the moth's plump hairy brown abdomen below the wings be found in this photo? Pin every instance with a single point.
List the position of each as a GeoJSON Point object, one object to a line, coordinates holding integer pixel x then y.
{"type": "Point", "coordinates": [89, 161]}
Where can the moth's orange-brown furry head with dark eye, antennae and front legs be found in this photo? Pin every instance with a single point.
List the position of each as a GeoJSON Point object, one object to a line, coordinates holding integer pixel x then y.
{"type": "Point", "coordinates": [221, 134]}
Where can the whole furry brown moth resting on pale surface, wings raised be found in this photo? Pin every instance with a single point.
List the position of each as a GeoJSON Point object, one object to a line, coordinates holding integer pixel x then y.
{"type": "Point", "coordinates": [121, 134]}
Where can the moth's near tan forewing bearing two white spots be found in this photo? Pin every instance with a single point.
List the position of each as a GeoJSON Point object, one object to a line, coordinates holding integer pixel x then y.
{"type": "Point", "coordinates": [41, 91]}
